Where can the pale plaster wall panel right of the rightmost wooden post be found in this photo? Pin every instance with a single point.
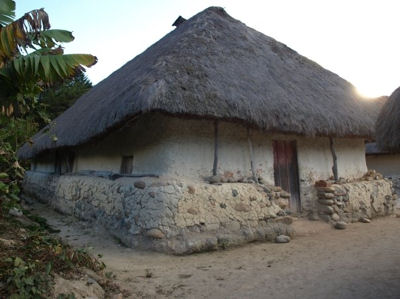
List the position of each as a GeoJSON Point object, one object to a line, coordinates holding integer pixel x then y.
{"type": "Point", "coordinates": [350, 157]}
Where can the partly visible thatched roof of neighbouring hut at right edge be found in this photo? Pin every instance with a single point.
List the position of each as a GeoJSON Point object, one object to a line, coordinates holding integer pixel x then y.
{"type": "Point", "coordinates": [388, 124]}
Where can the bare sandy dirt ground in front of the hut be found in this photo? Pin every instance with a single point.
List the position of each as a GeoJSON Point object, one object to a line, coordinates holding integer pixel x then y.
{"type": "Point", "coordinates": [362, 261]}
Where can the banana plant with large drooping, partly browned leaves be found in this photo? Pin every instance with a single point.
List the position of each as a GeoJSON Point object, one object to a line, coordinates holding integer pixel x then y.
{"type": "Point", "coordinates": [32, 57]}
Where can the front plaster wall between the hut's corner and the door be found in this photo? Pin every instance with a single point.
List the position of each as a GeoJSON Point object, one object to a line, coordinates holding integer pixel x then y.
{"type": "Point", "coordinates": [189, 149]}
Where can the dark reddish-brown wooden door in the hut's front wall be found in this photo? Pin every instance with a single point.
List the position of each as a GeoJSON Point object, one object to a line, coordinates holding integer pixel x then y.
{"type": "Point", "coordinates": [286, 171]}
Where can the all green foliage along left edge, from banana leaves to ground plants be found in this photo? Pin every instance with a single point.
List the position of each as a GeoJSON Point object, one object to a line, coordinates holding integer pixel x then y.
{"type": "Point", "coordinates": [31, 61]}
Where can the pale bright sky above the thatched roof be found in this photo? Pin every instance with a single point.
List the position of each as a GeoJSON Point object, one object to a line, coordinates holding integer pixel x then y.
{"type": "Point", "coordinates": [356, 39]}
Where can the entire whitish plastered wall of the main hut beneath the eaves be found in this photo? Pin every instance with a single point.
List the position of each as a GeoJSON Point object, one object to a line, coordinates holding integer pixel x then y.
{"type": "Point", "coordinates": [185, 147]}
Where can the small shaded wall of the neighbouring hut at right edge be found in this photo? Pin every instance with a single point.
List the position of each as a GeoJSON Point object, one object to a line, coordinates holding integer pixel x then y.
{"type": "Point", "coordinates": [388, 165]}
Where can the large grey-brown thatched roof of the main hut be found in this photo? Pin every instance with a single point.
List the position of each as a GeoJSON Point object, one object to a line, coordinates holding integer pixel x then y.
{"type": "Point", "coordinates": [213, 66]}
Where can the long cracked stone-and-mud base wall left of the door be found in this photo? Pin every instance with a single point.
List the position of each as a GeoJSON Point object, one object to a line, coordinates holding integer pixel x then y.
{"type": "Point", "coordinates": [166, 214]}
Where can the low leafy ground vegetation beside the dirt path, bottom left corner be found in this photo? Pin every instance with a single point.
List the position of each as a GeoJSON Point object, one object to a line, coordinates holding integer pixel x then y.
{"type": "Point", "coordinates": [29, 264]}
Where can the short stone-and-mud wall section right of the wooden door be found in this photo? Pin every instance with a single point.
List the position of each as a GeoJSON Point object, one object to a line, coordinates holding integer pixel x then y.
{"type": "Point", "coordinates": [356, 201]}
